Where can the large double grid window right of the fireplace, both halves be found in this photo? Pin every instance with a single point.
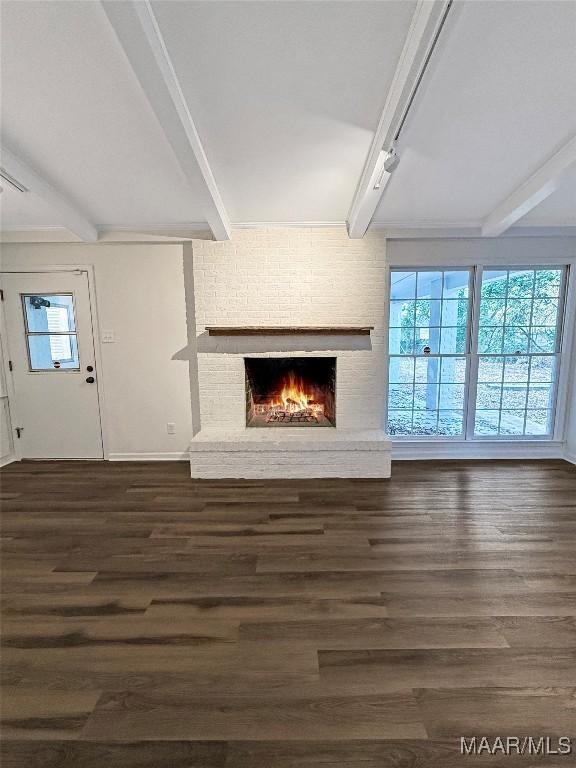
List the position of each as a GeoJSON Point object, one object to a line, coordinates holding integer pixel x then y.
{"type": "Point", "coordinates": [474, 353]}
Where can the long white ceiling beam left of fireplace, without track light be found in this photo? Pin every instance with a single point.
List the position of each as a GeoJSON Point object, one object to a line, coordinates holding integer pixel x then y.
{"type": "Point", "coordinates": [137, 30]}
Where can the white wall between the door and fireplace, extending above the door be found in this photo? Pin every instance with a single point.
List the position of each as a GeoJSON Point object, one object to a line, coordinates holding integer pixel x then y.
{"type": "Point", "coordinates": [140, 297]}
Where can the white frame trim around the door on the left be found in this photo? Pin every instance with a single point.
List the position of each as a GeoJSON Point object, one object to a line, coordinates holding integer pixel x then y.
{"type": "Point", "coordinates": [88, 269]}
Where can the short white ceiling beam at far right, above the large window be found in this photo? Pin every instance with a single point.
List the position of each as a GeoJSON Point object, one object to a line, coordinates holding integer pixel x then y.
{"type": "Point", "coordinates": [529, 194]}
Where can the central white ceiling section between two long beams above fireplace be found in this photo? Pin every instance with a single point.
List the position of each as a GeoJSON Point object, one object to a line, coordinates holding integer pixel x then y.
{"type": "Point", "coordinates": [286, 96]}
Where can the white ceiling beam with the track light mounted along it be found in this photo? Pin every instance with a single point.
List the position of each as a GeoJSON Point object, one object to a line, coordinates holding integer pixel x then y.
{"type": "Point", "coordinates": [420, 40]}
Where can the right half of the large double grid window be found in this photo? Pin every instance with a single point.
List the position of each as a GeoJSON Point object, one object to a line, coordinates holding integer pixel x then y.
{"type": "Point", "coordinates": [518, 344]}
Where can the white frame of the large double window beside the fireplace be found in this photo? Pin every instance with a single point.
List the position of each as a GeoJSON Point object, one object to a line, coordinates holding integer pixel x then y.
{"type": "Point", "coordinates": [563, 349]}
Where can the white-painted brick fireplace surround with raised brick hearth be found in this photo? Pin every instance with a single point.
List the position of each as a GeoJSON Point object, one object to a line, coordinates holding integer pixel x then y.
{"type": "Point", "coordinates": [283, 278]}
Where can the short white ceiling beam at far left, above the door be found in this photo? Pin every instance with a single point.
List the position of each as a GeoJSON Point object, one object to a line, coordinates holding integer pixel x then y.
{"type": "Point", "coordinates": [65, 211]}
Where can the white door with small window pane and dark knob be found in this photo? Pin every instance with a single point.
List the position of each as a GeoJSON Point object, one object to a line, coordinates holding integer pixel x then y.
{"type": "Point", "coordinates": [51, 347]}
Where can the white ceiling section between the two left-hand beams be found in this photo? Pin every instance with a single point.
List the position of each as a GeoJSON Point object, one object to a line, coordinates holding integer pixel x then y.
{"type": "Point", "coordinates": [73, 109]}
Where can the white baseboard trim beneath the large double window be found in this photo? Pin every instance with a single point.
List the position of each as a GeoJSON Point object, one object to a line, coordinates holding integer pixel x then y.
{"type": "Point", "coordinates": [418, 450]}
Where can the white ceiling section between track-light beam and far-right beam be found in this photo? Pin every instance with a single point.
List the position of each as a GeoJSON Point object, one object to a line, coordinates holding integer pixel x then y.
{"type": "Point", "coordinates": [499, 102]}
